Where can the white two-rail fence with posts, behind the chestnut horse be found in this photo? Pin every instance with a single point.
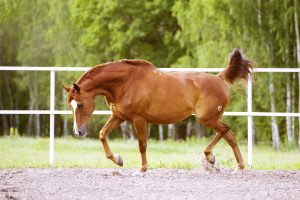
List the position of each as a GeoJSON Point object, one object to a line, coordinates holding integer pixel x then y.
{"type": "Point", "coordinates": [52, 112]}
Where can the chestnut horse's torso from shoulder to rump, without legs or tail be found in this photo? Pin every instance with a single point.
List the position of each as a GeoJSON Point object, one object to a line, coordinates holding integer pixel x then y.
{"type": "Point", "coordinates": [168, 97]}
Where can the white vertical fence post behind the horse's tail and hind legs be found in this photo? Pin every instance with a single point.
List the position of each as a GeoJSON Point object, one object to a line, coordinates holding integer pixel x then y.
{"type": "Point", "coordinates": [250, 119]}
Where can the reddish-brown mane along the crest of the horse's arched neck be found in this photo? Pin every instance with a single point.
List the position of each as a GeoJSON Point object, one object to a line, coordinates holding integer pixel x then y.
{"type": "Point", "coordinates": [97, 68]}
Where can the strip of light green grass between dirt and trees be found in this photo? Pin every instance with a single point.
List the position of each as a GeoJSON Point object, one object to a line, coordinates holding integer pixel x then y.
{"type": "Point", "coordinates": [18, 152]}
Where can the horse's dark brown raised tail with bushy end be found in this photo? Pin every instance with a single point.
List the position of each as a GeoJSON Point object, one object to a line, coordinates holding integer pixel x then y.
{"type": "Point", "coordinates": [237, 68]}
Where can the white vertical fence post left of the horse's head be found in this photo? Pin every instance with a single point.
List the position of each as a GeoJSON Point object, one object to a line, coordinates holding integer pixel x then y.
{"type": "Point", "coordinates": [52, 118]}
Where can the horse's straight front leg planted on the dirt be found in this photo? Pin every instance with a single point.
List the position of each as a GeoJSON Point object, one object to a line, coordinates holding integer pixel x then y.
{"type": "Point", "coordinates": [140, 126]}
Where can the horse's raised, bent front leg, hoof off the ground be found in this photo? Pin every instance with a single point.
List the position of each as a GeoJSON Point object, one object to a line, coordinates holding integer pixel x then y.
{"type": "Point", "coordinates": [112, 122]}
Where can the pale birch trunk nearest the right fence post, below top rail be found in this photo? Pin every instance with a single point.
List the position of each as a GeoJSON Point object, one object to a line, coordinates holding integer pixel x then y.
{"type": "Point", "coordinates": [275, 131]}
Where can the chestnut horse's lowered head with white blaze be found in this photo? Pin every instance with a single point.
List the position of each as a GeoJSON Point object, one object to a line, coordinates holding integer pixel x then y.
{"type": "Point", "coordinates": [82, 105]}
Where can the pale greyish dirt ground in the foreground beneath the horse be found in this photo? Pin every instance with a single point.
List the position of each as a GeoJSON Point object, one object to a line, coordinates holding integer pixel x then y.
{"type": "Point", "coordinates": [156, 184]}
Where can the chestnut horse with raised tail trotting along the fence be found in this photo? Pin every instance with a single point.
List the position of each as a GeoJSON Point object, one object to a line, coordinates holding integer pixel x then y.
{"type": "Point", "coordinates": [138, 92]}
